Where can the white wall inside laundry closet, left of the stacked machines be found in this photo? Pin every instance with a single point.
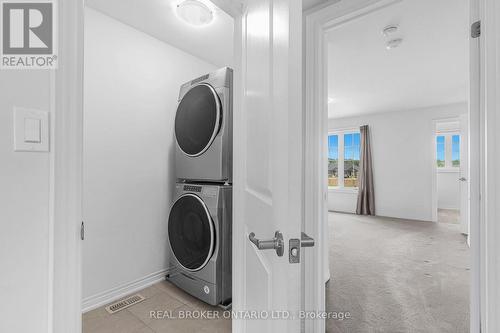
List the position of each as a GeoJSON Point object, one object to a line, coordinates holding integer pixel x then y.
{"type": "Point", "coordinates": [131, 86]}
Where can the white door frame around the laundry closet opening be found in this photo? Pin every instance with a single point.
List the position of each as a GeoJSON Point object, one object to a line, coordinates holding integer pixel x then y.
{"type": "Point", "coordinates": [66, 172]}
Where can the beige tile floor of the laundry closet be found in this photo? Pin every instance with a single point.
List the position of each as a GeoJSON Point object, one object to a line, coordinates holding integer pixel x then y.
{"type": "Point", "coordinates": [162, 296]}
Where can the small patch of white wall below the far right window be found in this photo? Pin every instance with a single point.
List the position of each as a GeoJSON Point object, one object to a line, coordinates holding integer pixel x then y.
{"type": "Point", "coordinates": [448, 188]}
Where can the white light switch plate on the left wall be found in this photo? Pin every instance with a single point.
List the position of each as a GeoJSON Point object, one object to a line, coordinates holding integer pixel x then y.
{"type": "Point", "coordinates": [31, 130]}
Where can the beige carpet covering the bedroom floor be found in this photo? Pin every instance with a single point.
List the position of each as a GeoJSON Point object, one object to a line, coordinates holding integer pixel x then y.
{"type": "Point", "coordinates": [397, 276]}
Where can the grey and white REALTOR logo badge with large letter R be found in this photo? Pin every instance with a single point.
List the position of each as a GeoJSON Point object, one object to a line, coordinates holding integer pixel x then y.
{"type": "Point", "coordinates": [29, 34]}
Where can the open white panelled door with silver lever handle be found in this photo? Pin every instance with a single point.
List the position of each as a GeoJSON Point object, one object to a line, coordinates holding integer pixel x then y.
{"type": "Point", "coordinates": [267, 165]}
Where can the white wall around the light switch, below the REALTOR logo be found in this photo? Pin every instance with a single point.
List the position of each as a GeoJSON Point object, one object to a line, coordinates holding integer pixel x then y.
{"type": "Point", "coordinates": [24, 214]}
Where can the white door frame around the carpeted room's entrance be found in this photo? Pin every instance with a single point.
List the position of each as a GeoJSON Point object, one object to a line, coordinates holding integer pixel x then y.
{"type": "Point", "coordinates": [484, 309]}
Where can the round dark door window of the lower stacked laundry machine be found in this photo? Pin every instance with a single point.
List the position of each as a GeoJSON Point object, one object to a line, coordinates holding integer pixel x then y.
{"type": "Point", "coordinates": [191, 232]}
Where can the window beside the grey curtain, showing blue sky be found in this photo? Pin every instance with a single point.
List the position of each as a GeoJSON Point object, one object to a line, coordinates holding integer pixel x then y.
{"type": "Point", "coordinates": [343, 159]}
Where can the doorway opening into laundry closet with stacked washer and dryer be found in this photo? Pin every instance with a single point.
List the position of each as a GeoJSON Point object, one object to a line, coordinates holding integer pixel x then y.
{"type": "Point", "coordinates": [135, 70]}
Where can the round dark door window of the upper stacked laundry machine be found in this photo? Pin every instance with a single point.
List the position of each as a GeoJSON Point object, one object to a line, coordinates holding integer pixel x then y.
{"type": "Point", "coordinates": [197, 120]}
